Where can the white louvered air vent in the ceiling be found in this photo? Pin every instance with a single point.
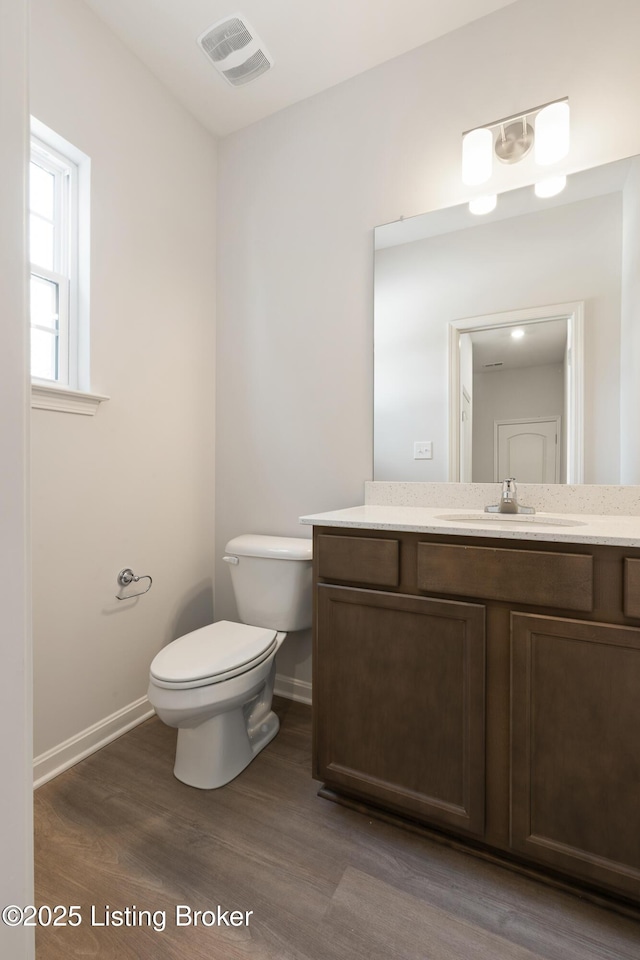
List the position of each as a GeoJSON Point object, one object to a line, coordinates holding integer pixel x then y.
{"type": "Point", "coordinates": [235, 50]}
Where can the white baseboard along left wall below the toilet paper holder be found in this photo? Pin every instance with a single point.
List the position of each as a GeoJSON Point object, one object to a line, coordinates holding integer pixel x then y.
{"type": "Point", "coordinates": [48, 765]}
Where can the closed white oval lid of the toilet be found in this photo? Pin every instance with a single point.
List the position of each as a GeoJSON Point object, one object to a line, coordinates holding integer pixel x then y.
{"type": "Point", "coordinates": [217, 651]}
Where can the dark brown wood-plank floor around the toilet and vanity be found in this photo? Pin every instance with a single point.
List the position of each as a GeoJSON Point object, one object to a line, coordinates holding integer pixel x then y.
{"type": "Point", "coordinates": [323, 882]}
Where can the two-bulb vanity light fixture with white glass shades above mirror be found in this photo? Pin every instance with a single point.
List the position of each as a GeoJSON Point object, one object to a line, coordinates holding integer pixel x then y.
{"type": "Point", "coordinates": [544, 128]}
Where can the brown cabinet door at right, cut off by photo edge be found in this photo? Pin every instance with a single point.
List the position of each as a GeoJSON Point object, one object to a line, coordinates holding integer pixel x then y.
{"type": "Point", "coordinates": [575, 763]}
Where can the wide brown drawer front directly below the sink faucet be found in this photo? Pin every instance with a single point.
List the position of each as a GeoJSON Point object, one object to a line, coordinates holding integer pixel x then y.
{"type": "Point", "coordinates": [516, 576]}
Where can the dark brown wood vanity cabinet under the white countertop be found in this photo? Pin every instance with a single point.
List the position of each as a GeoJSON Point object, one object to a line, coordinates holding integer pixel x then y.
{"type": "Point", "coordinates": [487, 689]}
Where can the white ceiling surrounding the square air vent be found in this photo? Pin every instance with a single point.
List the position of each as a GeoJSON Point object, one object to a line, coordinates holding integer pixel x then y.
{"type": "Point", "coordinates": [314, 44]}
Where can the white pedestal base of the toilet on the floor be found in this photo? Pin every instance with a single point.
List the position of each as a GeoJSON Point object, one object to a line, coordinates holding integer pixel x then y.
{"type": "Point", "coordinates": [212, 754]}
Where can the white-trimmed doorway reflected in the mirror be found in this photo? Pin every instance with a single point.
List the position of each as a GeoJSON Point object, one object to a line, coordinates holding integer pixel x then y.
{"type": "Point", "coordinates": [516, 396]}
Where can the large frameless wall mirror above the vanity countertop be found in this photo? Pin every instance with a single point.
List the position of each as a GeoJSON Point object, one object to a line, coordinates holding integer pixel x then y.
{"type": "Point", "coordinates": [498, 340]}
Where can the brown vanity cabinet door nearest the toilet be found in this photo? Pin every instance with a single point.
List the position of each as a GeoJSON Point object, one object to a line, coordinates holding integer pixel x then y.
{"type": "Point", "coordinates": [399, 702]}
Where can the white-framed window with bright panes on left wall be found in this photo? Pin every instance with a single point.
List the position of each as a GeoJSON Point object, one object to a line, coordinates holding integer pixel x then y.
{"type": "Point", "coordinates": [59, 255]}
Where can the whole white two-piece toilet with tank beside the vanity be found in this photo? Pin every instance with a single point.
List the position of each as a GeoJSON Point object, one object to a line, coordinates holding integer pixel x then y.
{"type": "Point", "coordinates": [216, 684]}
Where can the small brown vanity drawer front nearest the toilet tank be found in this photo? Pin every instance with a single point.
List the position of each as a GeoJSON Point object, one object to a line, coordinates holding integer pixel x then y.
{"type": "Point", "coordinates": [359, 560]}
